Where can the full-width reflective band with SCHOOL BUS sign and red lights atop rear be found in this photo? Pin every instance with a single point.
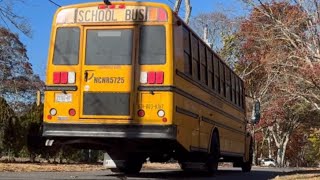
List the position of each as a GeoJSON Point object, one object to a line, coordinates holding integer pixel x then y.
{"type": "Point", "coordinates": [94, 14]}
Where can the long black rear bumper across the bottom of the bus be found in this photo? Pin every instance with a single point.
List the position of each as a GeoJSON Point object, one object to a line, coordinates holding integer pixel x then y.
{"type": "Point", "coordinates": [109, 131]}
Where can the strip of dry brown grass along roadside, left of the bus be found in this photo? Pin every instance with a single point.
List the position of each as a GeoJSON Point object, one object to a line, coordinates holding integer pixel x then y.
{"type": "Point", "coordinates": [45, 167]}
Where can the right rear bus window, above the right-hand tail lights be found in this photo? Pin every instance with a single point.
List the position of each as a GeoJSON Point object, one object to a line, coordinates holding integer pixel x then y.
{"type": "Point", "coordinates": [152, 45]}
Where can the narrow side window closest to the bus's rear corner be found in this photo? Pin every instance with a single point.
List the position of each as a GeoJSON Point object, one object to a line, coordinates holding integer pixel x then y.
{"type": "Point", "coordinates": [187, 51]}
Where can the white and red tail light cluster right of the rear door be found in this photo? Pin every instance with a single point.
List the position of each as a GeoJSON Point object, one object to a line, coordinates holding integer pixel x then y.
{"type": "Point", "coordinates": [152, 77]}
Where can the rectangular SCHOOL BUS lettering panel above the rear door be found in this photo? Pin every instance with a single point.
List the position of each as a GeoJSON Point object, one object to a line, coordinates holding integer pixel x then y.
{"type": "Point", "coordinates": [92, 14]}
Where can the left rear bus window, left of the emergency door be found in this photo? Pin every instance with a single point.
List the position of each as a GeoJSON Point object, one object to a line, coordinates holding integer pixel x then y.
{"type": "Point", "coordinates": [66, 47]}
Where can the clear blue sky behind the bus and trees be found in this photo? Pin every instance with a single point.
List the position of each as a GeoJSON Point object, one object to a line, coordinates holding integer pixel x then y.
{"type": "Point", "coordinates": [40, 14]}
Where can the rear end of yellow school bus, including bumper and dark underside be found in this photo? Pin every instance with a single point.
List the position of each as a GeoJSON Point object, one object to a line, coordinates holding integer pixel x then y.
{"type": "Point", "coordinates": [108, 74]}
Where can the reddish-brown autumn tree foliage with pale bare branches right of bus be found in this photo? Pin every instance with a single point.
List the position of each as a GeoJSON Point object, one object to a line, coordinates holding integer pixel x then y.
{"type": "Point", "coordinates": [278, 60]}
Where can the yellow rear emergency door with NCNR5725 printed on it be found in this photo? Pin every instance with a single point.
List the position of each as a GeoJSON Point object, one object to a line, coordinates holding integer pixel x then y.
{"type": "Point", "coordinates": [107, 70]}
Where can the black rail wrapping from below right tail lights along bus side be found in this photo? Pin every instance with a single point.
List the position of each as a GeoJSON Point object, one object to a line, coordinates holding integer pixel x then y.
{"type": "Point", "coordinates": [191, 97]}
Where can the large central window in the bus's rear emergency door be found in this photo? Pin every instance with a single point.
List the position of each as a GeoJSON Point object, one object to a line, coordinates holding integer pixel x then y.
{"type": "Point", "coordinates": [109, 47]}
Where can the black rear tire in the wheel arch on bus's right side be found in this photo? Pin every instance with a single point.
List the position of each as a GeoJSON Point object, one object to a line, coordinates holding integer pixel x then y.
{"type": "Point", "coordinates": [214, 156]}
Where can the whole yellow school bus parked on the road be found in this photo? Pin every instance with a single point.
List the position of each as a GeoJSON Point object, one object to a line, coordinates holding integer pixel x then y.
{"type": "Point", "coordinates": [131, 78]}
